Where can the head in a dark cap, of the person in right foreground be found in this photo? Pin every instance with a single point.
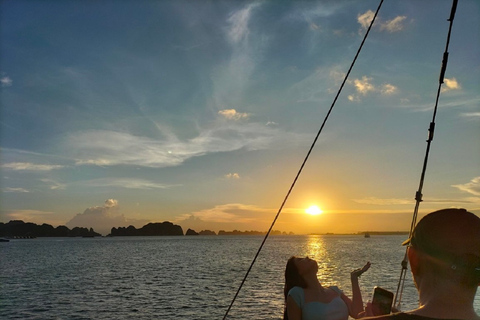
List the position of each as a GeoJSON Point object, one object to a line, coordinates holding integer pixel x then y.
{"type": "Point", "coordinates": [448, 246]}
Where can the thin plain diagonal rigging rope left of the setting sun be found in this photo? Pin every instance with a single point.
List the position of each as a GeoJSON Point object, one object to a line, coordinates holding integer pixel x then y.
{"type": "Point", "coordinates": [305, 160]}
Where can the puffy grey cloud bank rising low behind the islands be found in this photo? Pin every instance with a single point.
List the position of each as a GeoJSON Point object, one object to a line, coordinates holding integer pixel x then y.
{"type": "Point", "coordinates": [103, 218]}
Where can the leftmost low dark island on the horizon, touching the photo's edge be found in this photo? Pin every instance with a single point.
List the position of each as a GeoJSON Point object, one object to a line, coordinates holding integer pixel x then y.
{"type": "Point", "coordinates": [20, 229]}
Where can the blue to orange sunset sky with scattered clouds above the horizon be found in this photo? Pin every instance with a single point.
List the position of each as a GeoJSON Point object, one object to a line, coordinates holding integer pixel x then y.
{"type": "Point", "coordinates": [118, 113]}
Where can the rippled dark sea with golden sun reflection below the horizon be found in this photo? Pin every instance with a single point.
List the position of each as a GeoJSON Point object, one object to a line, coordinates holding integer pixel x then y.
{"type": "Point", "coordinates": [183, 277]}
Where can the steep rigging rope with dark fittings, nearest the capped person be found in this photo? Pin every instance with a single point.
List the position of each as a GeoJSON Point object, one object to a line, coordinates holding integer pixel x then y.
{"type": "Point", "coordinates": [418, 195]}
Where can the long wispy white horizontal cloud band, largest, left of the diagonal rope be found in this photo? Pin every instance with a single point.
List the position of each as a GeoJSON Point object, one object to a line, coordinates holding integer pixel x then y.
{"type": "Point", "coordinates": [108, 148]}
